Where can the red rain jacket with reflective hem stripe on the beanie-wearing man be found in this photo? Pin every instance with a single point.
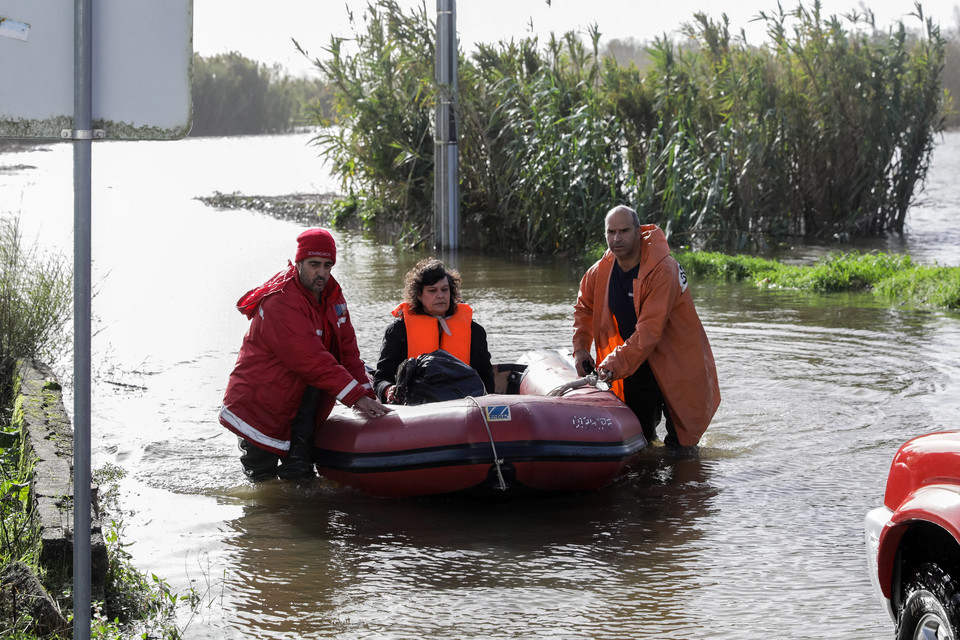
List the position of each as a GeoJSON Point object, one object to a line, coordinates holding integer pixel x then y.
{"type": "Point", "coordinates": [293, 341]}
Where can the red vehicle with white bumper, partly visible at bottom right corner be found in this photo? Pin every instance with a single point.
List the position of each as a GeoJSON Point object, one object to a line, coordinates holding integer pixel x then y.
{"type": "Point", "coordinates": [913, 541]}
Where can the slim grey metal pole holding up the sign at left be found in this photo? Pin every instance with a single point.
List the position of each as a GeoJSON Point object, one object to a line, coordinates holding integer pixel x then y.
{"type": "Point", "coordinates": [82, 148]}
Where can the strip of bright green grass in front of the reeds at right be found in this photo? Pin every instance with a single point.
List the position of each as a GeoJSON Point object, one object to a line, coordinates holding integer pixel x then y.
{"type": "Point", "coordinates": [893, 277]}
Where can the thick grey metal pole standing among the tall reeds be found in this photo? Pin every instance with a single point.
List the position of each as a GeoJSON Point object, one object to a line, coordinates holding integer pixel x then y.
{"type": "Point", "coordinates": [446, 178]}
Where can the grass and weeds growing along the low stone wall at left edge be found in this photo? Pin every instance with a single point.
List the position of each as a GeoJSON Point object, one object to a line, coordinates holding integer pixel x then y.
{"type": "Point", "coordinates": [36, 299]}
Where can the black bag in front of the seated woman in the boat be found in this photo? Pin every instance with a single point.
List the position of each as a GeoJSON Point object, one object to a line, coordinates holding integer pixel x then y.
{"type": "Point", "coordinates": [436, 376]}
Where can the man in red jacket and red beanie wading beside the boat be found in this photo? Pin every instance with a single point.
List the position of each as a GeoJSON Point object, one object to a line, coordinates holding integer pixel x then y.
{"type": "Point", "coordinates": [298, 358]}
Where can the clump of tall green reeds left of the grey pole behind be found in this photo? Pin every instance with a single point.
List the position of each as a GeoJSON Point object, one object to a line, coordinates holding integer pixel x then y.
{"type": "Point", "coordinates": [382, 148]}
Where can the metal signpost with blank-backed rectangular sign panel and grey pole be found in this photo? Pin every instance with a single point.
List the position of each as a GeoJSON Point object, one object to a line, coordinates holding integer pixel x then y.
{"type": "Point", "coordinates": [127, 76]}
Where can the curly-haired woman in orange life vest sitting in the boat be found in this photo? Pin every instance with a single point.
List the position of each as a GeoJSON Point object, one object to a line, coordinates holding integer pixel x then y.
{"type": "Point", "coordinates": [432, 316]}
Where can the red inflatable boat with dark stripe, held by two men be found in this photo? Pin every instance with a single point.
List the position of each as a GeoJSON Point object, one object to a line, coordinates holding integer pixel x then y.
{"type": "Point", "coordinates": [519, 440]}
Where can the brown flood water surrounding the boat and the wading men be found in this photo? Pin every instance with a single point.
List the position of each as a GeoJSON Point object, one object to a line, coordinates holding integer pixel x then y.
{"type": "Point", "coordinates": [759, 535]}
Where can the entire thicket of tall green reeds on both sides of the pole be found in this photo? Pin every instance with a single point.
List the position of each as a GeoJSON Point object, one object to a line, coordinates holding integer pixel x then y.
{"type": "Point", "coordinates": [825, 132]}
